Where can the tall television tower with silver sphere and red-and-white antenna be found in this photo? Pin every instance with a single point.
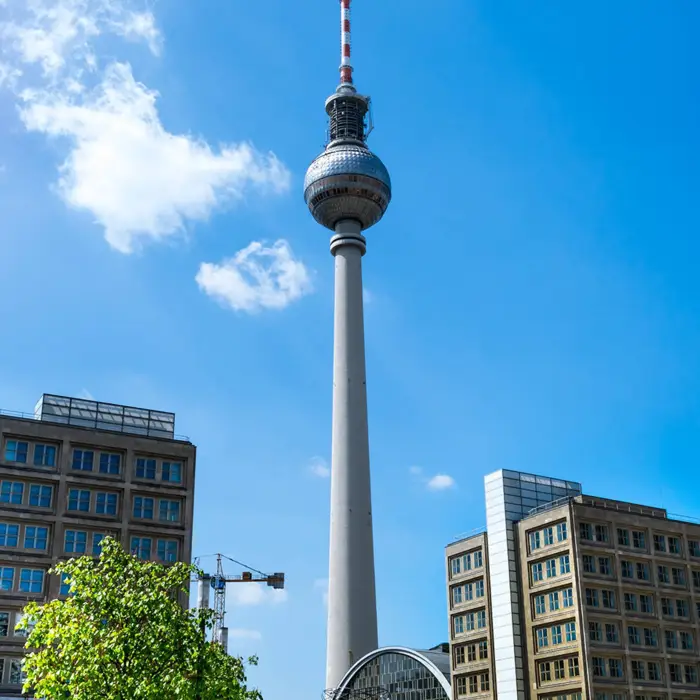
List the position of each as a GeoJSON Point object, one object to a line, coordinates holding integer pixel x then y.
{"type": "Point", "coordinates": [348, 189]}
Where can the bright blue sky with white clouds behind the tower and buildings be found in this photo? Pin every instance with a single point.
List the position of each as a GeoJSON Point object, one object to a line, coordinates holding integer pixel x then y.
{"type": "Point", "coordinates": [533, 299]}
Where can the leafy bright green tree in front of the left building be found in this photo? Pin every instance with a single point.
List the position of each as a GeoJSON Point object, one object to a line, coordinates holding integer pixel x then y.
{"type": "Point", "coordinates": [122, 634]}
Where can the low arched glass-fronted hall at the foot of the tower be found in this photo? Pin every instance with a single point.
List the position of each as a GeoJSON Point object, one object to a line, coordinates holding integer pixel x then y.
{"type": "Point", "coordinates": [398, 673]}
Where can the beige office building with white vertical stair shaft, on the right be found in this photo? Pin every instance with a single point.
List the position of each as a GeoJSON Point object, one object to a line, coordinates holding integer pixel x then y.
{"type": "Point", "coordinates": [604, 604]}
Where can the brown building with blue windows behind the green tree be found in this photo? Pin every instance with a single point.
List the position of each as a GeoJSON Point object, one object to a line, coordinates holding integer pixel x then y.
{"type": "Point", "coordinates": [72, 473]}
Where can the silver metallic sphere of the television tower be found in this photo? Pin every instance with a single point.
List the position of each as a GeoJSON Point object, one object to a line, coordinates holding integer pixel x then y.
{"type": "Point", "coordinates": [347, 181]}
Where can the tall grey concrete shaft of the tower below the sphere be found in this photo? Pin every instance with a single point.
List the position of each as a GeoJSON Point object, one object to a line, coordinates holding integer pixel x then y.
{"type": "Point", "coordinates": [352, 610]}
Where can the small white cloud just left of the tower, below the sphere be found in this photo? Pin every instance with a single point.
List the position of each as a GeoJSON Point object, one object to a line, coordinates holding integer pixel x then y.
{"type": "Point", "coordinates": [256, 278]}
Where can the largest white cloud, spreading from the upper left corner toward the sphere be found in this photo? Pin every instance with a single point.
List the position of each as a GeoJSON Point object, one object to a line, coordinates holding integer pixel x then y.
{"type": "Point", "coordinates": [136, 179]}
